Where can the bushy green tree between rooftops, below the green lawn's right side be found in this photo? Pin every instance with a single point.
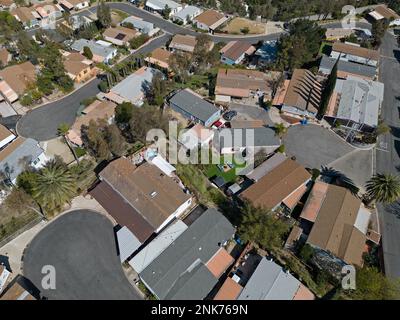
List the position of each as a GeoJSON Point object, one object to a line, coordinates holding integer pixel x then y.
{"type": "Point", "coordinates": [262, 227]}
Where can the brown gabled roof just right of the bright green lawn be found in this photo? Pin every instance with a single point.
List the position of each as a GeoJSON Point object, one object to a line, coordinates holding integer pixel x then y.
{"type": "Point", "coordinates": [277, 185]}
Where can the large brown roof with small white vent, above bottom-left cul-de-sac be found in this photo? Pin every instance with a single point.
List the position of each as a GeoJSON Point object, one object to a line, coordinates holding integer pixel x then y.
{"type": "Point", "coordinates": [153, 194]}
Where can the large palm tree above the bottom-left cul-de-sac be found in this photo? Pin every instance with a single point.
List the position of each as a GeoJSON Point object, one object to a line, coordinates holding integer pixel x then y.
{"type": "Point", "coordinates": [55, 185]}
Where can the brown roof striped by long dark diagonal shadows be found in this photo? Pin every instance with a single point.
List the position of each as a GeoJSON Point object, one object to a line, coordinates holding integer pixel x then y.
{"type": "Point", "coordinates": [304, 91]}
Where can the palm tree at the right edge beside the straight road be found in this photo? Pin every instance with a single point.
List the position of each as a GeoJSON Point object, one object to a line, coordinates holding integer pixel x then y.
{"type": "Point", "coordinates": [383, 188]}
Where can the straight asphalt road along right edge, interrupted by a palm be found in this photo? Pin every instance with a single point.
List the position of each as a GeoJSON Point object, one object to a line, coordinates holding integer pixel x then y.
{"type": "Point", "coordinates": [388, 153]}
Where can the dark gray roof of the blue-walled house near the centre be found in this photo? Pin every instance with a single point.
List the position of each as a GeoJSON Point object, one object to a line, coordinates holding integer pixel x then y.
{"type": "Point", "coordinates": [193, 104]}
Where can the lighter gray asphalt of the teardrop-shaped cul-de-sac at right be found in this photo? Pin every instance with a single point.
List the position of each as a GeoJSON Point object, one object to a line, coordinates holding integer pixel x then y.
{"type": "Point", "coordinates": [314, 146]}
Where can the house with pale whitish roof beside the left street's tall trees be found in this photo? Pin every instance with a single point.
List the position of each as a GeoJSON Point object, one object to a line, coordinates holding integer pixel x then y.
{"type": "Point", "coordinates": [133, 88]}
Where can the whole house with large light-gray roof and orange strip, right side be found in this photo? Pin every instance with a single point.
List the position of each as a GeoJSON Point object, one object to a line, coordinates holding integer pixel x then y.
{"type": "Point", "coordinates": [355, 103]}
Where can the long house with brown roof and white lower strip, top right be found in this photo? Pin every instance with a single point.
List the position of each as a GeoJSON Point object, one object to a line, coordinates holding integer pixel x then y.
{"type": "Point", "coordinates": [354, 53]}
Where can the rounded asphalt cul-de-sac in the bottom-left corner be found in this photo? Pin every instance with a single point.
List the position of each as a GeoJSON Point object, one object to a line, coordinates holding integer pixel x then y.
{"type": "Point", "coordinates": [81, 246]}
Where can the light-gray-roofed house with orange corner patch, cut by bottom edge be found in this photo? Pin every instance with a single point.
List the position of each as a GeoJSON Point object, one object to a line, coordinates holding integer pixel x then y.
{"type": "Point", "coordinates": [270, 282]}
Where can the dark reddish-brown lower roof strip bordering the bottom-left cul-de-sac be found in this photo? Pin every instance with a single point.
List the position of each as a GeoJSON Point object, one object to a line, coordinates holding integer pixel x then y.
{"type": "Point", "coordinates": [121, 211]}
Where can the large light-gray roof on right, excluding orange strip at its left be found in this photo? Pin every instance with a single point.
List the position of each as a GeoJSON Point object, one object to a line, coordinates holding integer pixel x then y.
{"type": "Point", "coordinates": [360, 100]}
